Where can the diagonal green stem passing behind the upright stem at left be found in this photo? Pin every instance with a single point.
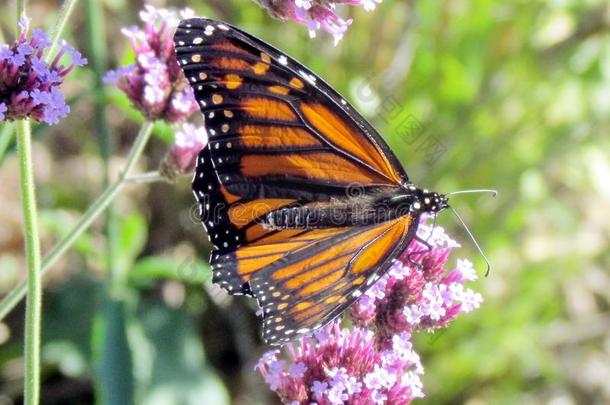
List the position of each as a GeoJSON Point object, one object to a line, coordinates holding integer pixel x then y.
{"type": "Point", "coordinates": [14, 297]}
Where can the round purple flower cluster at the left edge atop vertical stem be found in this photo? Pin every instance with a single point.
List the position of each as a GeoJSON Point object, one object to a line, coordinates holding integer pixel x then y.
{"type": "Point", "coordinates": [29, 86]}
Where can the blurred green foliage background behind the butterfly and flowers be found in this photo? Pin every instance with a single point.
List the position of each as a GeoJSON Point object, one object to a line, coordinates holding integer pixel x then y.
{"type": "Point", "coordinates": [513, 95]}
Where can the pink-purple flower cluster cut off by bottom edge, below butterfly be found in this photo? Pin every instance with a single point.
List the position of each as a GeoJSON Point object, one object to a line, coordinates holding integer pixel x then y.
{"type": "Point", "coordinates": [342, 366]}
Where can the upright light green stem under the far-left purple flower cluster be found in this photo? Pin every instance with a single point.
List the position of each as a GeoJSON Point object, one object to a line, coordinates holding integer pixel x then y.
{"type": "Point", "coordinates": [34, 279]}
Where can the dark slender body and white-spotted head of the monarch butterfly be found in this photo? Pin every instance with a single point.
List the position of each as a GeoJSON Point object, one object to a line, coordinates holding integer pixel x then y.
{"type": "Point", "coordinates": [363, 209]}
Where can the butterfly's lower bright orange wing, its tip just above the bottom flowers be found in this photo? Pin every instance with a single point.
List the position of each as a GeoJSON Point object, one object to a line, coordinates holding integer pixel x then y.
{"type": "Point", "coordinates": [309, 287]}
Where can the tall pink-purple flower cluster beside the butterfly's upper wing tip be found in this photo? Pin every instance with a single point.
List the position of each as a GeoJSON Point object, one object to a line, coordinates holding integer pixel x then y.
{"type": "Point", "coordinates": [155, 83]}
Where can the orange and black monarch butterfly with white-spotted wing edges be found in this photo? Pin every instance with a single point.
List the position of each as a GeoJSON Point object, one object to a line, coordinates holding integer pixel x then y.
{"type": "Point", "coordinates": [304, 202]}
